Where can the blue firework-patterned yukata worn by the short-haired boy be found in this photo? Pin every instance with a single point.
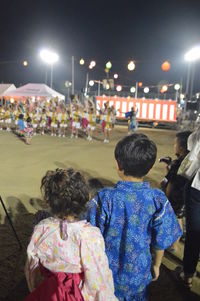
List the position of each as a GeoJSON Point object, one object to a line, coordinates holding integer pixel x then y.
{"type": "Point", "coordinates": [132, 216]}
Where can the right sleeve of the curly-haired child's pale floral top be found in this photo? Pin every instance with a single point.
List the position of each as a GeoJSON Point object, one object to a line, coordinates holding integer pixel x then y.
{"type": "Point", "coordinates": [98, 282]}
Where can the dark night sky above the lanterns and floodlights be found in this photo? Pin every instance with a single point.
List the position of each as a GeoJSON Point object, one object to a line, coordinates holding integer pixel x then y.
{"type": "Point", "coordinates": [146, 31]}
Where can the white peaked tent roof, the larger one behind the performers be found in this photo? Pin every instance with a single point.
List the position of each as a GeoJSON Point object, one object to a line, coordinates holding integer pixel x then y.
{"type": "Point", "coordinates": [34, 90]}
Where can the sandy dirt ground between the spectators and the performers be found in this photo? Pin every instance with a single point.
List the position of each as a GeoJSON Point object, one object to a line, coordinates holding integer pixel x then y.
{"type": "Point", "coordinates": [22, 168]}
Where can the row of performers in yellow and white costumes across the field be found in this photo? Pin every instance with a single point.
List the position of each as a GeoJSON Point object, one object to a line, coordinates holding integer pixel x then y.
{"type": "Point", "coordinates": [54, 117]}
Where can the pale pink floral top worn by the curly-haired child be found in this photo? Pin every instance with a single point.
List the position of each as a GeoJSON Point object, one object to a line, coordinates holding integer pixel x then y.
{"type": "Point", "coordinates": [81, 250]}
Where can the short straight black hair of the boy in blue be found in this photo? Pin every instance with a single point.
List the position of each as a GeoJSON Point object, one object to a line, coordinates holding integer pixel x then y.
{"type": "Point", "coordinates": [135, 155]}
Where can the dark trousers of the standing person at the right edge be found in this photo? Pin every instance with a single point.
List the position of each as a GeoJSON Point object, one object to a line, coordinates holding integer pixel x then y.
{"type": "Point", "coordinates": [192, 241]}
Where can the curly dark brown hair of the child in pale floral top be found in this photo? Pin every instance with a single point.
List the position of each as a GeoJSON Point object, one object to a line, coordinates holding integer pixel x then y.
{"type": "Point", "coordinates": [65, 191]}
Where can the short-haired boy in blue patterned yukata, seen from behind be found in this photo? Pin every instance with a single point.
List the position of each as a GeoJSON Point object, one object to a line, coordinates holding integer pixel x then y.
{"type": "Point", "coordinates": [132, 217]}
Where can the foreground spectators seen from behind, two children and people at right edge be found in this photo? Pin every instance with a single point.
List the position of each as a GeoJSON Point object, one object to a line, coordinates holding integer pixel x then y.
{"type": "Point", "coordinates": [108, 243]}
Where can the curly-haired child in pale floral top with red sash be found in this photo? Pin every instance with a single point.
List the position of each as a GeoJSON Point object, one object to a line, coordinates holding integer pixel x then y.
{"type": "Point", "coordinates": [66, 257]}
